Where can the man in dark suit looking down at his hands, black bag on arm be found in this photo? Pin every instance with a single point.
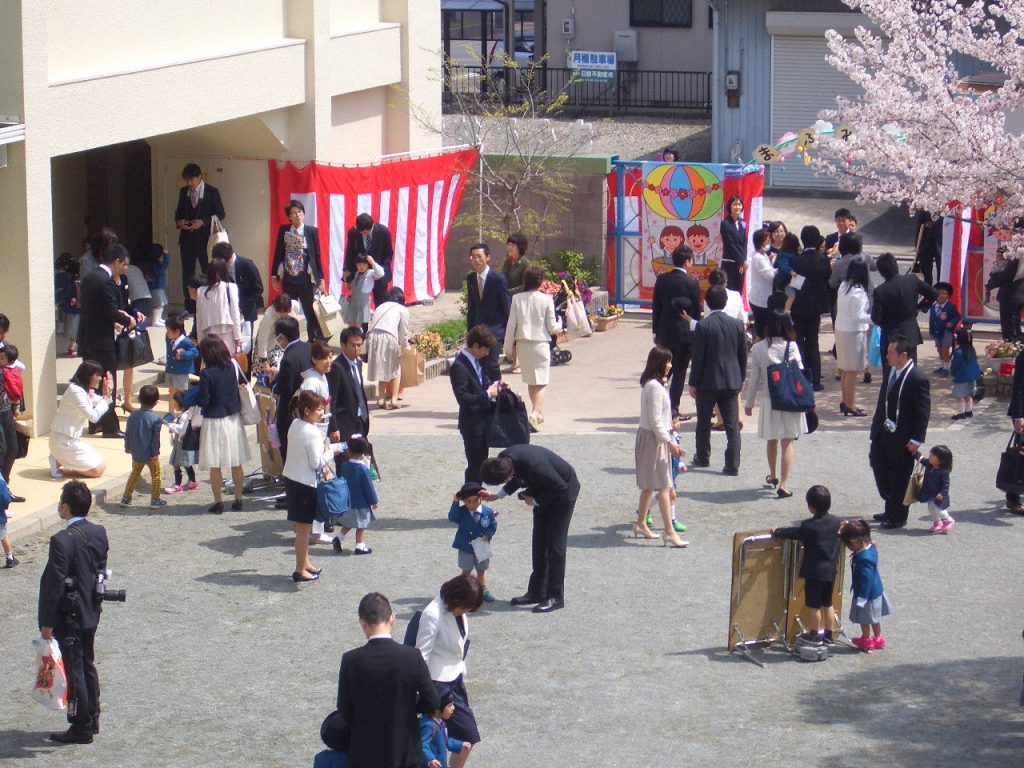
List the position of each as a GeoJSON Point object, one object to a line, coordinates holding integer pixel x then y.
{"type": "Point", "coordinates": [475, 393]}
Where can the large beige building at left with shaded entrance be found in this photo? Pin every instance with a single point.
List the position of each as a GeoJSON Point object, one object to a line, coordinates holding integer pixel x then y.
{"type": "Point", "coordinates": [226, 83]}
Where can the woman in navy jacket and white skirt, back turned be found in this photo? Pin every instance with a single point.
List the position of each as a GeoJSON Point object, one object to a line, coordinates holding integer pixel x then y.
{"type": "Point", "coordinates": [223, 439]}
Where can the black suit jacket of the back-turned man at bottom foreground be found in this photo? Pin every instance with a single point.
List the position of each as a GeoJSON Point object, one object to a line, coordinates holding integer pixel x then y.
{"type": "Point", "coordinates": [381, 688]}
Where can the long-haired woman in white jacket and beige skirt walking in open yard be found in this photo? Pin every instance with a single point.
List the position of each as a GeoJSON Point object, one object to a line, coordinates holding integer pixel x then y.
{"type": "Point", "coordinates": [655, 448]}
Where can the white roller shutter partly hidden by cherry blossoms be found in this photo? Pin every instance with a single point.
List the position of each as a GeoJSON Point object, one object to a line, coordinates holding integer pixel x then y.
{"type": "Point", "coordinates": [803, 84]}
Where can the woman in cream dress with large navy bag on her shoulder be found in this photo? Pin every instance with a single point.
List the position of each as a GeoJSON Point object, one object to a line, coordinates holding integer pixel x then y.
{"type": "Point", "coordinates": [775, 426]}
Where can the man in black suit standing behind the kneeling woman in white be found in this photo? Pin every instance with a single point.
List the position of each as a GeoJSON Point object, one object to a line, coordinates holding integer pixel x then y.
{"type": "Point", "coordinates": [104, 315]}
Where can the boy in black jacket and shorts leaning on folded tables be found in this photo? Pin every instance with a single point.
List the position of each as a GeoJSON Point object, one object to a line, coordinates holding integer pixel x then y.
{"type": "Point", "coordinates": [820, 536]}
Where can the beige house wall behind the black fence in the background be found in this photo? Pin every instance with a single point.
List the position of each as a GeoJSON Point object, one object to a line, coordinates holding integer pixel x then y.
{"type": "Point", "coordinates": [680, 50]}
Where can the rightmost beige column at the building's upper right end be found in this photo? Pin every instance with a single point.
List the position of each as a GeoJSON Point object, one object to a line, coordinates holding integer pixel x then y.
{"type": "Point", "coordinates": [421, 75]}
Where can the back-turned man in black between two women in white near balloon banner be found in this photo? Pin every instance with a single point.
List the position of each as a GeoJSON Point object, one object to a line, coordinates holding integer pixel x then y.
{"type": "Point", "coordinates": [813, 301]}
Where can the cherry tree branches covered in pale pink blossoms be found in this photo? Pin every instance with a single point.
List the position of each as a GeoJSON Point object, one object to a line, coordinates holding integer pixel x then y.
{"type": "Point", "coordinates": [917, 136]}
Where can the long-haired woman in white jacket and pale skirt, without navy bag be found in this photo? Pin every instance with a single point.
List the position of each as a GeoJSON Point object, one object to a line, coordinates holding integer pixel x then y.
{"type": "Point", "coordinates": [854, 323]}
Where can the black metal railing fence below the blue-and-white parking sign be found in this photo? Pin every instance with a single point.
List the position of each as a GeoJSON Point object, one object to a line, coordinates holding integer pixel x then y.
{"type": "Point", "coordinates": [632, 91]}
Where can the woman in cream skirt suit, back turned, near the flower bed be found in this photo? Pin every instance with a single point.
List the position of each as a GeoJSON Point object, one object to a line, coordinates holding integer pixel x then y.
{"type": "Point", "coordinates": [528, 338]}
